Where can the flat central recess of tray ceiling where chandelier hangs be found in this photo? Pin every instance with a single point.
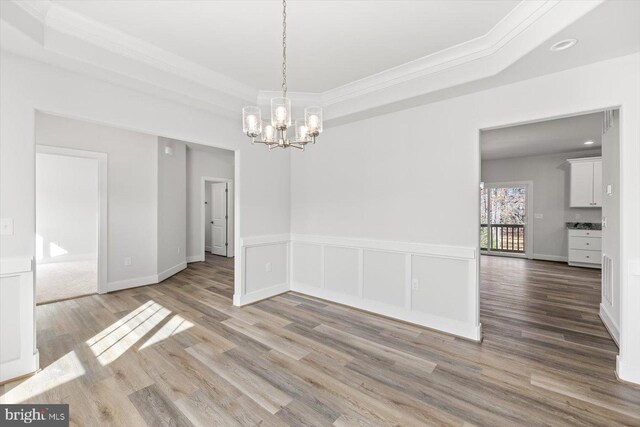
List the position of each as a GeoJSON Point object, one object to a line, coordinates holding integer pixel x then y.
{"type": "Point", "coordinates": [330, 43]}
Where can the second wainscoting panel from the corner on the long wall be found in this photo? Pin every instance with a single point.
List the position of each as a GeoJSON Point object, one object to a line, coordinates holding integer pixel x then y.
{"type": "Point", "coordinates": [342, 270]}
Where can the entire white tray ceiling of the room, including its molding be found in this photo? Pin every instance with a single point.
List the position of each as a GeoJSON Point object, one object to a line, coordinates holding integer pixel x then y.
{"type": "Point", "coordinates": [223, 55]}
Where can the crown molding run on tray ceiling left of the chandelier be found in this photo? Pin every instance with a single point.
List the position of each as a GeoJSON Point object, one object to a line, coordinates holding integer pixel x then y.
{"type": "Point", "coordinates": [81, 39]}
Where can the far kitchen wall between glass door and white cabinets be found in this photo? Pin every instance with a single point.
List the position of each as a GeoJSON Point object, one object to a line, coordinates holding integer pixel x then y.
{"type": "Point", "coordinates": [551, 178]}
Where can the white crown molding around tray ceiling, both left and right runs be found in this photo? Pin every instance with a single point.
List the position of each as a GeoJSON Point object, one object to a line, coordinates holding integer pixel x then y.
{"type": "Point", "coordinates": [103, 51]}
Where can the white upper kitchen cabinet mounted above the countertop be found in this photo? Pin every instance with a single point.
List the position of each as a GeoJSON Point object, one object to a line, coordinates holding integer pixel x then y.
{"type": "Point", "coordinates": [586, 182]}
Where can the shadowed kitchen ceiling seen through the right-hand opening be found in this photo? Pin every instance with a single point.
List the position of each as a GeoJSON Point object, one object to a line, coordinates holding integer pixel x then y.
{"type": "Point", "coordinates": [548, 137]}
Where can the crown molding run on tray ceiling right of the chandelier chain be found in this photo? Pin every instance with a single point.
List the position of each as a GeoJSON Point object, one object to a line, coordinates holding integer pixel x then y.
{"type": "Point", "coordinates": [528, 26]}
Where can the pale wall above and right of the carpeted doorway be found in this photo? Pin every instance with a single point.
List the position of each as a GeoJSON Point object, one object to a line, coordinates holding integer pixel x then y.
{"type": "Point", "coordinates": [132, 175]}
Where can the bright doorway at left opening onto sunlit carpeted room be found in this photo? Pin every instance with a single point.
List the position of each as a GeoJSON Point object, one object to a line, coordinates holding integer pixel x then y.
{"type": "Point", "coordinates": [70, 227]}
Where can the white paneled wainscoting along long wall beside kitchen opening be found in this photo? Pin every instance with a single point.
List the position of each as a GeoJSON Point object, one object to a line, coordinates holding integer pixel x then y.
{"type": "Point", "coordinates": [378, 276]}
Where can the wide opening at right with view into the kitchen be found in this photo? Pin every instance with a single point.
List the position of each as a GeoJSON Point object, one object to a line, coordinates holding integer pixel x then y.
{"type": "Point", "coordinates": [569, 239]}
